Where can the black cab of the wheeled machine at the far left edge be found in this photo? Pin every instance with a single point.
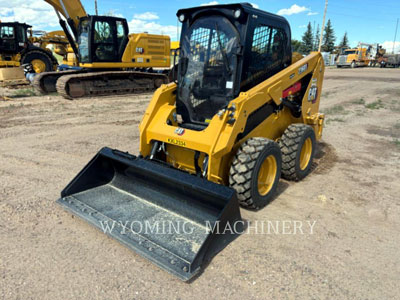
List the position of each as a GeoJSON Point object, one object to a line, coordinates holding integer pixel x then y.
{"type": "Point", "coordinates": [13, 37]}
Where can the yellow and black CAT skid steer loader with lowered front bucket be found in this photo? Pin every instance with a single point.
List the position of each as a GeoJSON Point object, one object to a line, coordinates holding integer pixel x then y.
{"type": "Point", "coordinates": [241, 114]}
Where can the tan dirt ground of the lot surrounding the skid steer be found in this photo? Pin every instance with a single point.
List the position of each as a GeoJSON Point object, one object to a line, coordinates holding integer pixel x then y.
{"type": "Point", "coordinates": [352, 195]}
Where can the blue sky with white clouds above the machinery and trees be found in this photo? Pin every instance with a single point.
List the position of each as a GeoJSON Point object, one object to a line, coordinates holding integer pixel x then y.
{"type": "Point", "coordinates": [364, 20]}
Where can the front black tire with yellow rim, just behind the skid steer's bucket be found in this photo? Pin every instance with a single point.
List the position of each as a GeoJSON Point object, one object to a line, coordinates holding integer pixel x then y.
{"type": "Point", "coordinates": [245, 171]}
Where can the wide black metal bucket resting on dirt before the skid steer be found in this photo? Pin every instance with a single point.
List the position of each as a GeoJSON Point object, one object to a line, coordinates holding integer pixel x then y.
{"type": "Point", "coordinates": [170, 217]}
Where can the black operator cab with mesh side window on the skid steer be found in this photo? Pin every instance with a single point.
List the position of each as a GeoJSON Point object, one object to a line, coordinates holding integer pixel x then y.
{"type": "Point", "coordinates": [225, 50]}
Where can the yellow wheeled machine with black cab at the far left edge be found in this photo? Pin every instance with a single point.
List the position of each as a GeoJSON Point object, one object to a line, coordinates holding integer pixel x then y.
{"type": "Point", "coordinates": [19, 47]}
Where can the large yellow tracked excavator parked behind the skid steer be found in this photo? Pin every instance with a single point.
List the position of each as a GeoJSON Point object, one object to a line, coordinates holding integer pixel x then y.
{"type": "Point", "coordinates": [109, 60]}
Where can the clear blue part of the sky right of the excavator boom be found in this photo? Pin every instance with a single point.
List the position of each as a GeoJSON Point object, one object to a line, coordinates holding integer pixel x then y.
{"type": "Point", "coordinates": [364, 20]}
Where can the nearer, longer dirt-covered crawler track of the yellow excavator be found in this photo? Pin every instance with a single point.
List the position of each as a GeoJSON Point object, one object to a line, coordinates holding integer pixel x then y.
{"type": "Point", "coordinates": [108, 83]}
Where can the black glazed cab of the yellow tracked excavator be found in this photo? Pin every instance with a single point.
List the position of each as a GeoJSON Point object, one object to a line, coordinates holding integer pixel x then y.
{"type": "Point", "coordinates": [102, 39]}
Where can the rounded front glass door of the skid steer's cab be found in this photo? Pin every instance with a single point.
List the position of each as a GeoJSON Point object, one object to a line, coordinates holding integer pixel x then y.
{"type": "Point", "coordinates": [207, 67]}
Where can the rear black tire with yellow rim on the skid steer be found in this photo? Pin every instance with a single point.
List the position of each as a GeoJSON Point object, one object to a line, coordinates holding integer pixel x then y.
{"type": "Point", "coordinates": [296, 166]}
